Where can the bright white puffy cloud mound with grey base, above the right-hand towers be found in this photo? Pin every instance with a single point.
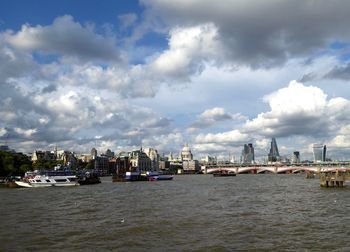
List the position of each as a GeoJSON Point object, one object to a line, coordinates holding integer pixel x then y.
{"type": "Point", "coordinates": [299, 110]}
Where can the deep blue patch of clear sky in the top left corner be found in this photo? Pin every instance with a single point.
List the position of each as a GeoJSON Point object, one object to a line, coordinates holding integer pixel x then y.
{"type": "Point", "coordinates": [18, 12]}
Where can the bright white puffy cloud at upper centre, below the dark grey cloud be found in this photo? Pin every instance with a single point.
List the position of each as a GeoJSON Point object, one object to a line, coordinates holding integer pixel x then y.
{"type": "Point", "coordinates": [189, 49]}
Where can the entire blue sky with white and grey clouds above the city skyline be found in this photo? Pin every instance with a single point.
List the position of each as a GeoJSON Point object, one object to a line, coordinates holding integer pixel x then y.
{"type": "Point", "coordinates": [157, 73]}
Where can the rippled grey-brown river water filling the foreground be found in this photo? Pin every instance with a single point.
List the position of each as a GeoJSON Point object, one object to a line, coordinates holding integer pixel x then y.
{"type": "Point", "coordinates": [190, 213]}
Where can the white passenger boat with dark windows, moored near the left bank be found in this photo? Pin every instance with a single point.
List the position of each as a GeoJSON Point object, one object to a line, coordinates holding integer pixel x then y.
{"type": "Point", "coordinates": [48, 178]}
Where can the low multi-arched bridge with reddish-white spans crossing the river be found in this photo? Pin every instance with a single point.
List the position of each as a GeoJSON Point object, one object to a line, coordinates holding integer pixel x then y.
{"type": "Point", "coordinates": [277, 169]}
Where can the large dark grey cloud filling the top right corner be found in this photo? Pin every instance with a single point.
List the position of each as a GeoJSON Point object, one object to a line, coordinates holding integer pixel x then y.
{"type": "Point", "coordinates": [262, 34]}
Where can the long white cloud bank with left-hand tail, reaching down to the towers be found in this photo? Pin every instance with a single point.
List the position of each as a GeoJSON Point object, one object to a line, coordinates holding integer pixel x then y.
{"type": "Point", "coordinates": [298, 115]}
